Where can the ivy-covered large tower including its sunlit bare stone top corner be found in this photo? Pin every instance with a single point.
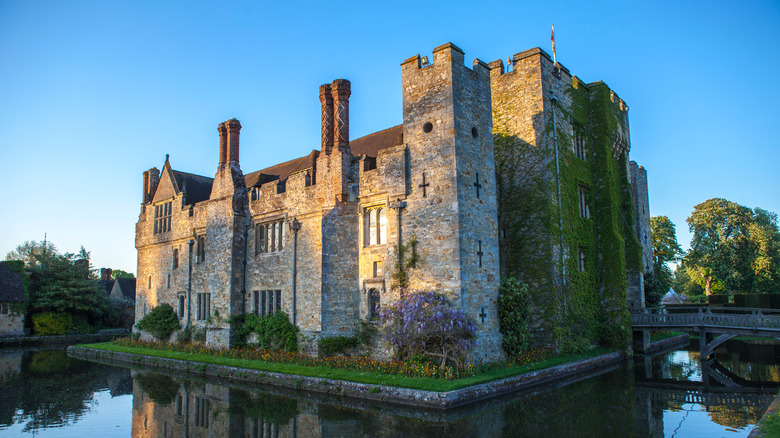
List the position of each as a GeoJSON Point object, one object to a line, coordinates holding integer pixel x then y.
{"type": "Point", "coordinates": [575, 258]}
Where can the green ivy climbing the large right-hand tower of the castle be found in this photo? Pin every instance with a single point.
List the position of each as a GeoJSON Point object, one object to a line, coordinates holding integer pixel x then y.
{"type": "Point", "coordinates": [589, 305]}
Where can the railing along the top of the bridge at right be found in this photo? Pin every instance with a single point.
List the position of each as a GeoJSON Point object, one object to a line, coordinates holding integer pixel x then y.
{"type": "Point", "coordinates": [748, 318]}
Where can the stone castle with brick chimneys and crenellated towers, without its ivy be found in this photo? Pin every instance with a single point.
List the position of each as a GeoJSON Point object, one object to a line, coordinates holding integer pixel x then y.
{"type": "Point", "coordinates": [328, 237]}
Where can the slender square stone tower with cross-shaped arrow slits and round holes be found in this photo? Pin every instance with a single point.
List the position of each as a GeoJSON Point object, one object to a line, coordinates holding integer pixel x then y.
{"type": "Point", "coordinates": [451, 208]}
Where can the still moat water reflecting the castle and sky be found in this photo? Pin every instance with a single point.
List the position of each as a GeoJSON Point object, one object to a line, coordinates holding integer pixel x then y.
{"type": "Point", "coordinates": [46, 393]}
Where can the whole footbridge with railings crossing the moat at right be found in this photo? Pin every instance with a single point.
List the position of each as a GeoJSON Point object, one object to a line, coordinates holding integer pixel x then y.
{"type": "Point", "coordinates": [714, 325]}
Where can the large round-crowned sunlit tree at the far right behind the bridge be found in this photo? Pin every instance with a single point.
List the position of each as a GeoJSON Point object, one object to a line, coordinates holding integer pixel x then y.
{"type": "Point", "coordinates": [735, 245]}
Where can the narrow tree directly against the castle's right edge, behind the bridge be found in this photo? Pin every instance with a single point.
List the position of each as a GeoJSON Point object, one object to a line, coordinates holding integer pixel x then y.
{"type": "Point", "coordinates": [665, 250]}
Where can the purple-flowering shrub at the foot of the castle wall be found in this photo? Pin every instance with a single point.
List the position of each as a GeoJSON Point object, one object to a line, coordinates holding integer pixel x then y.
{"type": "Point", "coordinates": [422, 324]}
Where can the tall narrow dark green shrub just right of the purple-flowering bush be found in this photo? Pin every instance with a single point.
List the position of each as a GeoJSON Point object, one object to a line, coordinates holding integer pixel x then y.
{"type": "Point", "coordinates": [513, 303]}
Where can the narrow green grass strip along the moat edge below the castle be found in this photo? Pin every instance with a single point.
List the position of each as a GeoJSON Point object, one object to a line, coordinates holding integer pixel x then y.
{"type": "Point", "coordinates": [375, 378]}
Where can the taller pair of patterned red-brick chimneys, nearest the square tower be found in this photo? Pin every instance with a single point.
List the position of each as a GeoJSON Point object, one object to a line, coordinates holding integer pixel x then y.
{"type": "Point", "coordinates": [335, 115]}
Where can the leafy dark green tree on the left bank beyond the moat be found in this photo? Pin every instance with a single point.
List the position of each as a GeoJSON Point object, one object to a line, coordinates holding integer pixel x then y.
{"type": "Point", "coordinates": [60, 284]}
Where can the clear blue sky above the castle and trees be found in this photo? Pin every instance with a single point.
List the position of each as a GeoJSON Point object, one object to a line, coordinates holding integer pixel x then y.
{"type": "Point", "coordinates": [94, 93]}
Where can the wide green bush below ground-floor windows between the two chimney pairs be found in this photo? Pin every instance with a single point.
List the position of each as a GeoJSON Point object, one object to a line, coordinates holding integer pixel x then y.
{"type": "Point", "coordinates": [274, 332]}
